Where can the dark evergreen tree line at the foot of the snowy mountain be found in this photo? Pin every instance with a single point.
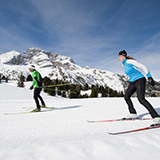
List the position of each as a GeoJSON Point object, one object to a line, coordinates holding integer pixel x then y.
{"type": "Point", "coordinates": [72, 91]}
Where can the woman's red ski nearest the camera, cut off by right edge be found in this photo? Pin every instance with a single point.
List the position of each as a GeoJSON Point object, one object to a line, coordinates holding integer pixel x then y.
{"type": "Point", "coordinates": [135, 130]}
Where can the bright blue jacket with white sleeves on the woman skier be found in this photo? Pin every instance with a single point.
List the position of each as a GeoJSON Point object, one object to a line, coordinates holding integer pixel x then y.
{"type": "Point", "coordinates": [132, 69]}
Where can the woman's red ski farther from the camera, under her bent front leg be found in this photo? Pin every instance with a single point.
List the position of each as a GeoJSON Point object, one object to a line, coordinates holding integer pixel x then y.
{"type": "Point", "coordinates": [120, 119]}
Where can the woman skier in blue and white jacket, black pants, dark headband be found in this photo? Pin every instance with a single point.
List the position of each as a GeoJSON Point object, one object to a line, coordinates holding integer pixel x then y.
{"type": "Point", "coordinates": [137, 82]}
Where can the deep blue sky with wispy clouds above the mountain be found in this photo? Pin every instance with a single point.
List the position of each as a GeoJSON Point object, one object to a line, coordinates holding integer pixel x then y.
{"type": "Point", "coordinates": [91, 32]}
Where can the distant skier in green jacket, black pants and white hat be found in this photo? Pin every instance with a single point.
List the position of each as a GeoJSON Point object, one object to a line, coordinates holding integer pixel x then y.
{"type": "Point", "coordinates": [37, 85]}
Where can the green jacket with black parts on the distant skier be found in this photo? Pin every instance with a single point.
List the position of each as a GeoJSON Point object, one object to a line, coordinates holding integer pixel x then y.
{"type": "Point", "coordinates": [37, 79]}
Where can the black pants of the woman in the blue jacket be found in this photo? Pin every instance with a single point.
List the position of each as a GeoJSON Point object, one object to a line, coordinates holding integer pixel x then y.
{"type": "Point", "coordinates": [139, 87]}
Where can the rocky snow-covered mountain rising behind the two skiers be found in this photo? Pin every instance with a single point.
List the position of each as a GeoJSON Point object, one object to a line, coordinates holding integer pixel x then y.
{"type": "Point", "coordinates": [55, 66]}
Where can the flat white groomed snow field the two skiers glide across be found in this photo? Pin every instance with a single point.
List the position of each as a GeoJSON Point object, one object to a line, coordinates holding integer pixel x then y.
{"type": "Point", "coordinates": [64, 133]}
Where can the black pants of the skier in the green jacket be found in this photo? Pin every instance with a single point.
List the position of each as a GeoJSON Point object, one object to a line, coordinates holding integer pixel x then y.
{"type": "Point", "coordinates": [37, 92]}
